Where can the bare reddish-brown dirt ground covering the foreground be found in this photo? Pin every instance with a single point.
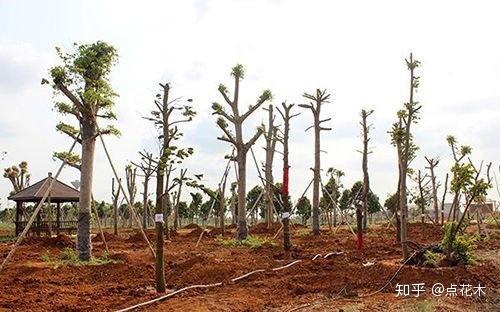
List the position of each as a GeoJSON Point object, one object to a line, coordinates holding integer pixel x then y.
{"type": "Point", "coordinates": [28, 283]}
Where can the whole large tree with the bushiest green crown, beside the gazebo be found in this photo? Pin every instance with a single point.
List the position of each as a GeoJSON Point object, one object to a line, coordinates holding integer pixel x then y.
{"type": "Point", "coordinates": [83, 78]}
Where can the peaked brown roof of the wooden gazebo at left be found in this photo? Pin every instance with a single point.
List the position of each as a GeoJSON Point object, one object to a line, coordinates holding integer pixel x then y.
{"type": "Point", "coordinates": [60, 192]}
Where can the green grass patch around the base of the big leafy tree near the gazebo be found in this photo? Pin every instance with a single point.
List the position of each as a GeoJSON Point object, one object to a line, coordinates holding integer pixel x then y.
{"type": "Point", "coordinates": [69, 257]}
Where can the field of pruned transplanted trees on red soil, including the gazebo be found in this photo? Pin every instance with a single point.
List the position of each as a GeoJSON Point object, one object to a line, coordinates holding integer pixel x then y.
{"type": "Point", "coordinates": [179, 245]}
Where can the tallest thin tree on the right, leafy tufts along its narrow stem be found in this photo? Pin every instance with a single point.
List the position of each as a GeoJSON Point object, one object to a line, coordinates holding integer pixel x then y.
{"type": "Point", "coordinates": [402, 138]}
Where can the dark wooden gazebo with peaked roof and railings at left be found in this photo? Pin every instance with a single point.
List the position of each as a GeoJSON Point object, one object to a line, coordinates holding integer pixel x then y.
{"type": "Point", "coordinates": [60, 193]}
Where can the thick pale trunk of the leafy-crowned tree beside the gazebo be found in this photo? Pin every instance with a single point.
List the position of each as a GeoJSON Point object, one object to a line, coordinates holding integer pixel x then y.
{"type": "Point", "coordinates": [83, 243]}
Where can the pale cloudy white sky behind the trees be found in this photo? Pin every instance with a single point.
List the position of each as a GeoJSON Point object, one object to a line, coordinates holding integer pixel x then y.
{"type": "Point", "coordinates": [354, 49]}
